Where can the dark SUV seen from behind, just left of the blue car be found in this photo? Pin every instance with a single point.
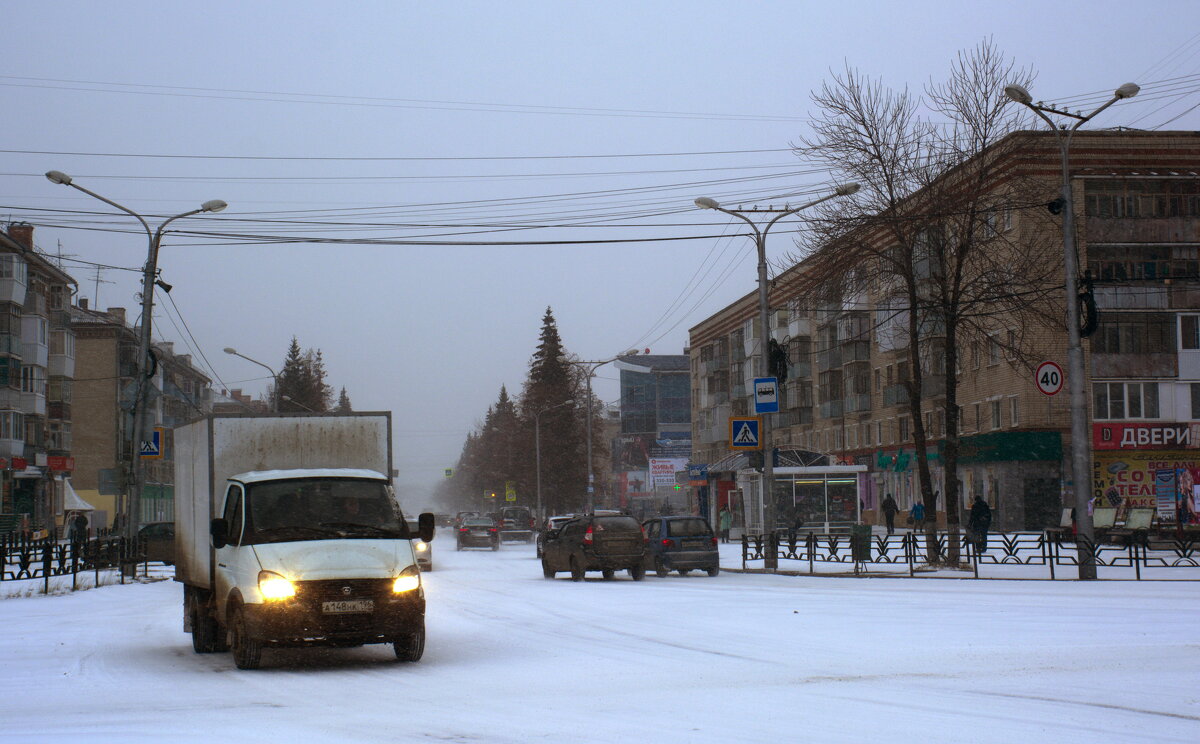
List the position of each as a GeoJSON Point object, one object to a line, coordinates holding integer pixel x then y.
{"type": "Point", "coordinates": [591, 543]}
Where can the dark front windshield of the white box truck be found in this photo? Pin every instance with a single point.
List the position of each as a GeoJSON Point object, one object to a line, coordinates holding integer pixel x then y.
{"type": "Point", "coordinates": [321, 509]}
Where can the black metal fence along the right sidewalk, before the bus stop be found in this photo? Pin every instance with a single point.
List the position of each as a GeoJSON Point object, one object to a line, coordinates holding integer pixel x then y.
{"type": "Point", "coordinates": [1019, 555]}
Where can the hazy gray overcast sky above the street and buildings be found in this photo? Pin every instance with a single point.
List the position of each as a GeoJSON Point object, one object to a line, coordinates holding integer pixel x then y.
{"type": "Point", "coordinates": [459, 123]}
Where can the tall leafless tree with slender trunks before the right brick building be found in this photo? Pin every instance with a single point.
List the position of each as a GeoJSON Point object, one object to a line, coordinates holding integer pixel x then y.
{"type": "Point", "coordinates": [928, 233]}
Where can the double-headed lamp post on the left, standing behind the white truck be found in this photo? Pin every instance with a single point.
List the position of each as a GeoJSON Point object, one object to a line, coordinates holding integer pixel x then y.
{"type": "Point", "coordinates": [142, 392]}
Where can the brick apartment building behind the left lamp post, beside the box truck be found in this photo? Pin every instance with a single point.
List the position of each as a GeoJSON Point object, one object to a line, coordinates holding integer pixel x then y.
{"type": "Point", "coordinates": [107, 352]}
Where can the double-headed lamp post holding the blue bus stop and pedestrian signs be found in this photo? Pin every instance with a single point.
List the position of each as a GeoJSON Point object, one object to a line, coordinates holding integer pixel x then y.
{"type": "Point", "coordinates": [769, 466]}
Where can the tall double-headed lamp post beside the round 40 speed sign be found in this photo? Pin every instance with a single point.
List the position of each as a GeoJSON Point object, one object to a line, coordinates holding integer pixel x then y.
{"type": "Point", "coordinates": [1081, 455]}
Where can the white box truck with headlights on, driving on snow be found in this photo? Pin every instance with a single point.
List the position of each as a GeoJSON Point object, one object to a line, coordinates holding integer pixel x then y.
{"type": "Point", "coordinates": [289, 535]}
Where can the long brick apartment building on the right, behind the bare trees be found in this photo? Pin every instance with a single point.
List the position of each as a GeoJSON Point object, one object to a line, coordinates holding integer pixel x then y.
{"type": "Point", "coordinates": [847, 399]}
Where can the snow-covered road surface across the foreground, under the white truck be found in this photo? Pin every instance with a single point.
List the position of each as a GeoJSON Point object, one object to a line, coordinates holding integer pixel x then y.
{"type": "Point", "coordinates": [740, 658]}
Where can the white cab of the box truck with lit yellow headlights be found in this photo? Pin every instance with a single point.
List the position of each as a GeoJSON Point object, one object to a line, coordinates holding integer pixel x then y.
{"type": "Point", "coordinates": [316, 557]}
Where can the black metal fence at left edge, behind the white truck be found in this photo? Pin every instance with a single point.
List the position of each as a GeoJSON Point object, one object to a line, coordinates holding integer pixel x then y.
{"type": "Point", "coordinates": [23, 560]}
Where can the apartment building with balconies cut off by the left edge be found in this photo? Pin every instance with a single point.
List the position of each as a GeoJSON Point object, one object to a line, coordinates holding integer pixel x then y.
{"type": "Point", "coordinates": [37, 374]}
